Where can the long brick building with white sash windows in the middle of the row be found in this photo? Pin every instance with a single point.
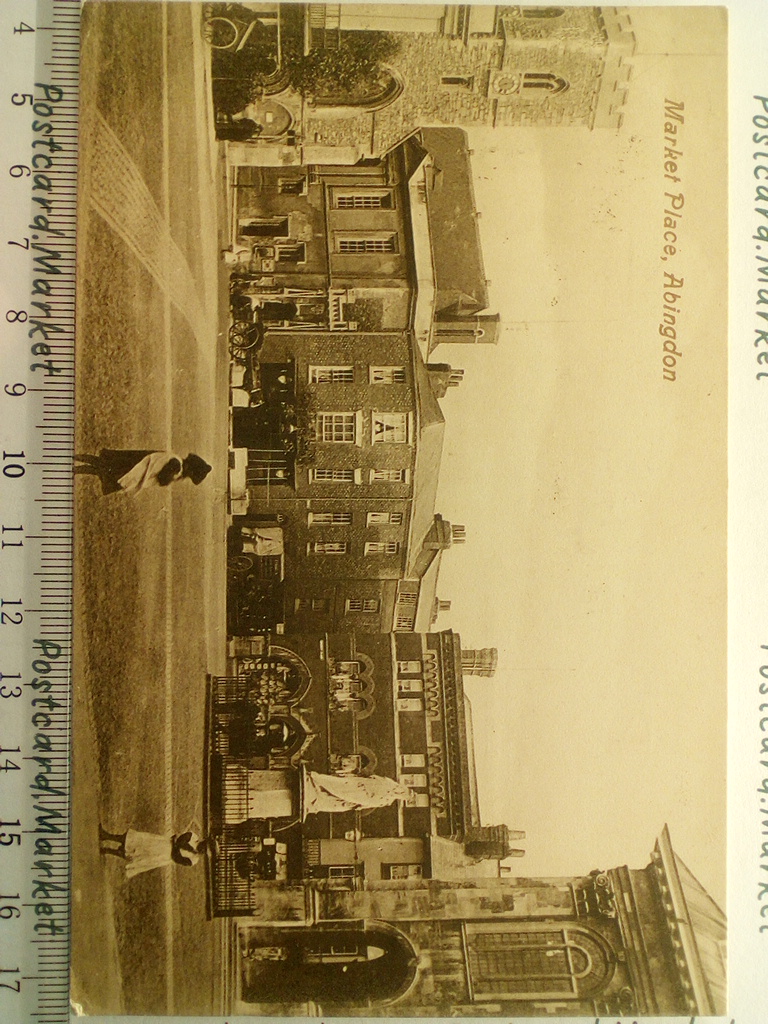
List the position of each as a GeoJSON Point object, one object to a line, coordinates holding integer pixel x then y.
{"type": "Point", "coordinates": [339, 473]}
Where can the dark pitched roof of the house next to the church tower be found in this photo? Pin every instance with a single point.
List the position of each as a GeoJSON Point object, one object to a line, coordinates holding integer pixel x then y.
{"type": "Point", "coordinates": [457, 253]}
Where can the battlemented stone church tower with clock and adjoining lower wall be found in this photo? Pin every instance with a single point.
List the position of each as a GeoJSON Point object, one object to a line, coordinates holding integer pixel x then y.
{"type": "Point", "coordinates": [456, 65]}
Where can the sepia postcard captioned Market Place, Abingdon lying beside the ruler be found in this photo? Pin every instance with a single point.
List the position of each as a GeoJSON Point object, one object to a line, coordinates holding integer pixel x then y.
{"type": "Point", "coordinates": [400, 670]}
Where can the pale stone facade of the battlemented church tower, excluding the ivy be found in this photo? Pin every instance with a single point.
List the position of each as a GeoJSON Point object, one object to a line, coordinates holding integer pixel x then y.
{"type": "Point", "coordinates": [569, 67]}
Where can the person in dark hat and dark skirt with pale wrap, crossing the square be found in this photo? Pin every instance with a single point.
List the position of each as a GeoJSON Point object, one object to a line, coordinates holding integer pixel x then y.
{"type": "Point", "coordinates": [132, 472]}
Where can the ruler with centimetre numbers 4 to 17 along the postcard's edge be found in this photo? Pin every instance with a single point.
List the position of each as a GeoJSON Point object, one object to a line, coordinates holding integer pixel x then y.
{"type": "Point", "coordinates": [39, 41]}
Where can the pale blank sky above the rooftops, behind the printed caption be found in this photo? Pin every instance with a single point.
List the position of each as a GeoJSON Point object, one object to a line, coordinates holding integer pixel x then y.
{"type": "Point", "coordinates": [594, 492]}
